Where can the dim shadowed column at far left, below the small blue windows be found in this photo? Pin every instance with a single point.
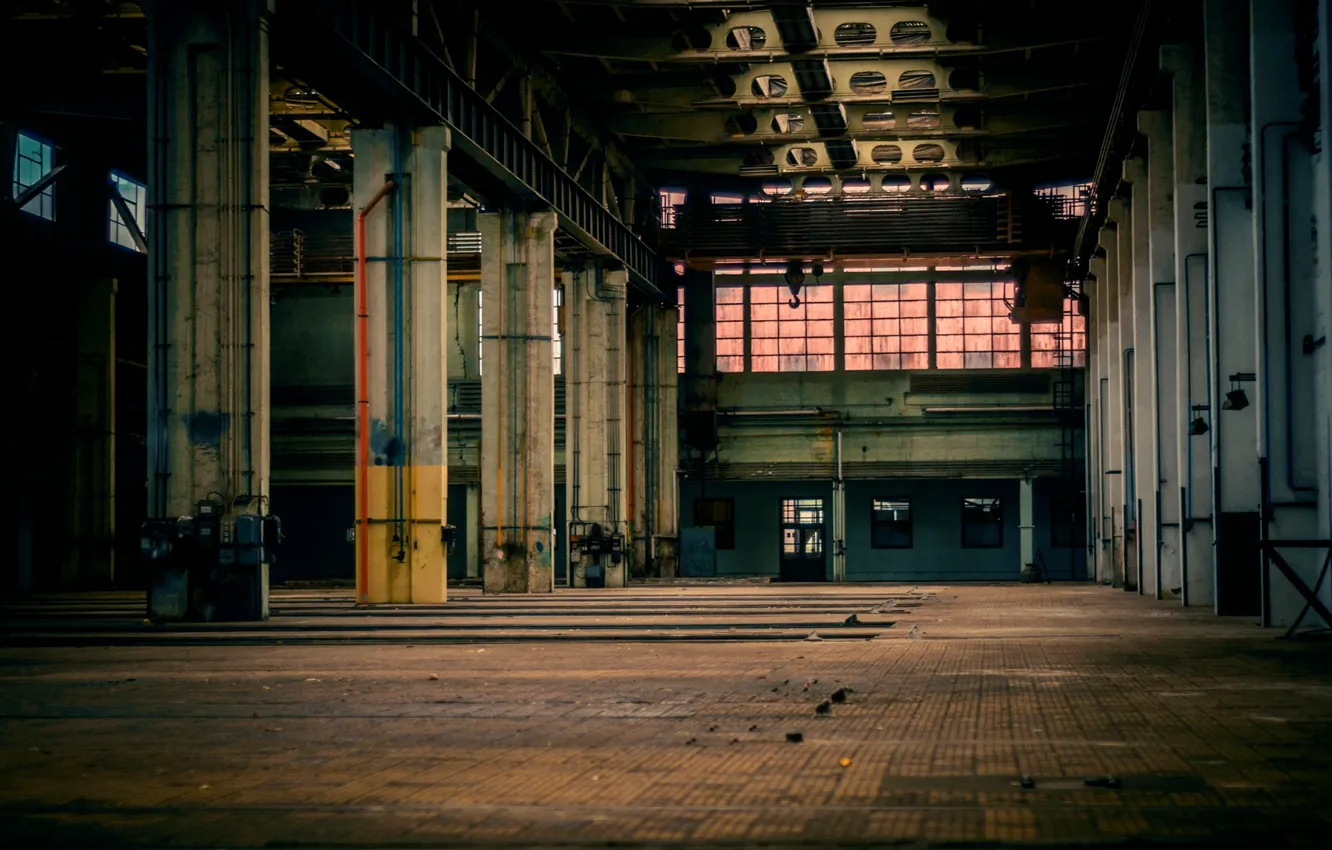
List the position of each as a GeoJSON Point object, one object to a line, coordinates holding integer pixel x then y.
{"type": "Point", "coordinates": [91, 562]}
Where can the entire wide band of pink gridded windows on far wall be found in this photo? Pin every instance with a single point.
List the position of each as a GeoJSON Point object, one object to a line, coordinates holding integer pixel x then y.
{"type": "Point", "coordinates": [917, 319]}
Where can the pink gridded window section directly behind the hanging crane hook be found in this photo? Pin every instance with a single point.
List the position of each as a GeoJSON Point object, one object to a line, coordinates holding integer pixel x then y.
{"type": "Point", "coordinates": [787, 339]}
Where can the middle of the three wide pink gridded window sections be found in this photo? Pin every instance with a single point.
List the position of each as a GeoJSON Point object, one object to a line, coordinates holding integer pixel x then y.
{"type": "Point", "coordinates": [886, 326]}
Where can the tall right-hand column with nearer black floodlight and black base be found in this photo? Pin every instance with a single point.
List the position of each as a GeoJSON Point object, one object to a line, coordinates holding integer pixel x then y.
{"type": "Point", "coordinates": [1235, 472]}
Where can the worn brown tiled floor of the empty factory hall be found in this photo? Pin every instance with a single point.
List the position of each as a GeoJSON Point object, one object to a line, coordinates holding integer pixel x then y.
{"type": "Point", "coordinates": [660, 717]}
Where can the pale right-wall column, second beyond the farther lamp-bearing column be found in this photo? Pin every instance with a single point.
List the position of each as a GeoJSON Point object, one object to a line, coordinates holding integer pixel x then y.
{"type": "Point", "coordinates": [1142, 502]}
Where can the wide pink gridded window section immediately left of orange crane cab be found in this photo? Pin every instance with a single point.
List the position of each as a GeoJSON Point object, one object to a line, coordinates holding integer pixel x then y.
{"type": "Point", "coordinates": [973, 330]}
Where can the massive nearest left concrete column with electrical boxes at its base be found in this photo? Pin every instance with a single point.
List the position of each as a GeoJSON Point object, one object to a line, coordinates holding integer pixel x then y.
{"type": "Point", "coordinates": [208, 235]}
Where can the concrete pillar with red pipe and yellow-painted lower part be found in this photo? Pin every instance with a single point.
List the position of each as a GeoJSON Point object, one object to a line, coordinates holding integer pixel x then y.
{"type": "Point", "coordinates": [403, 472]}
